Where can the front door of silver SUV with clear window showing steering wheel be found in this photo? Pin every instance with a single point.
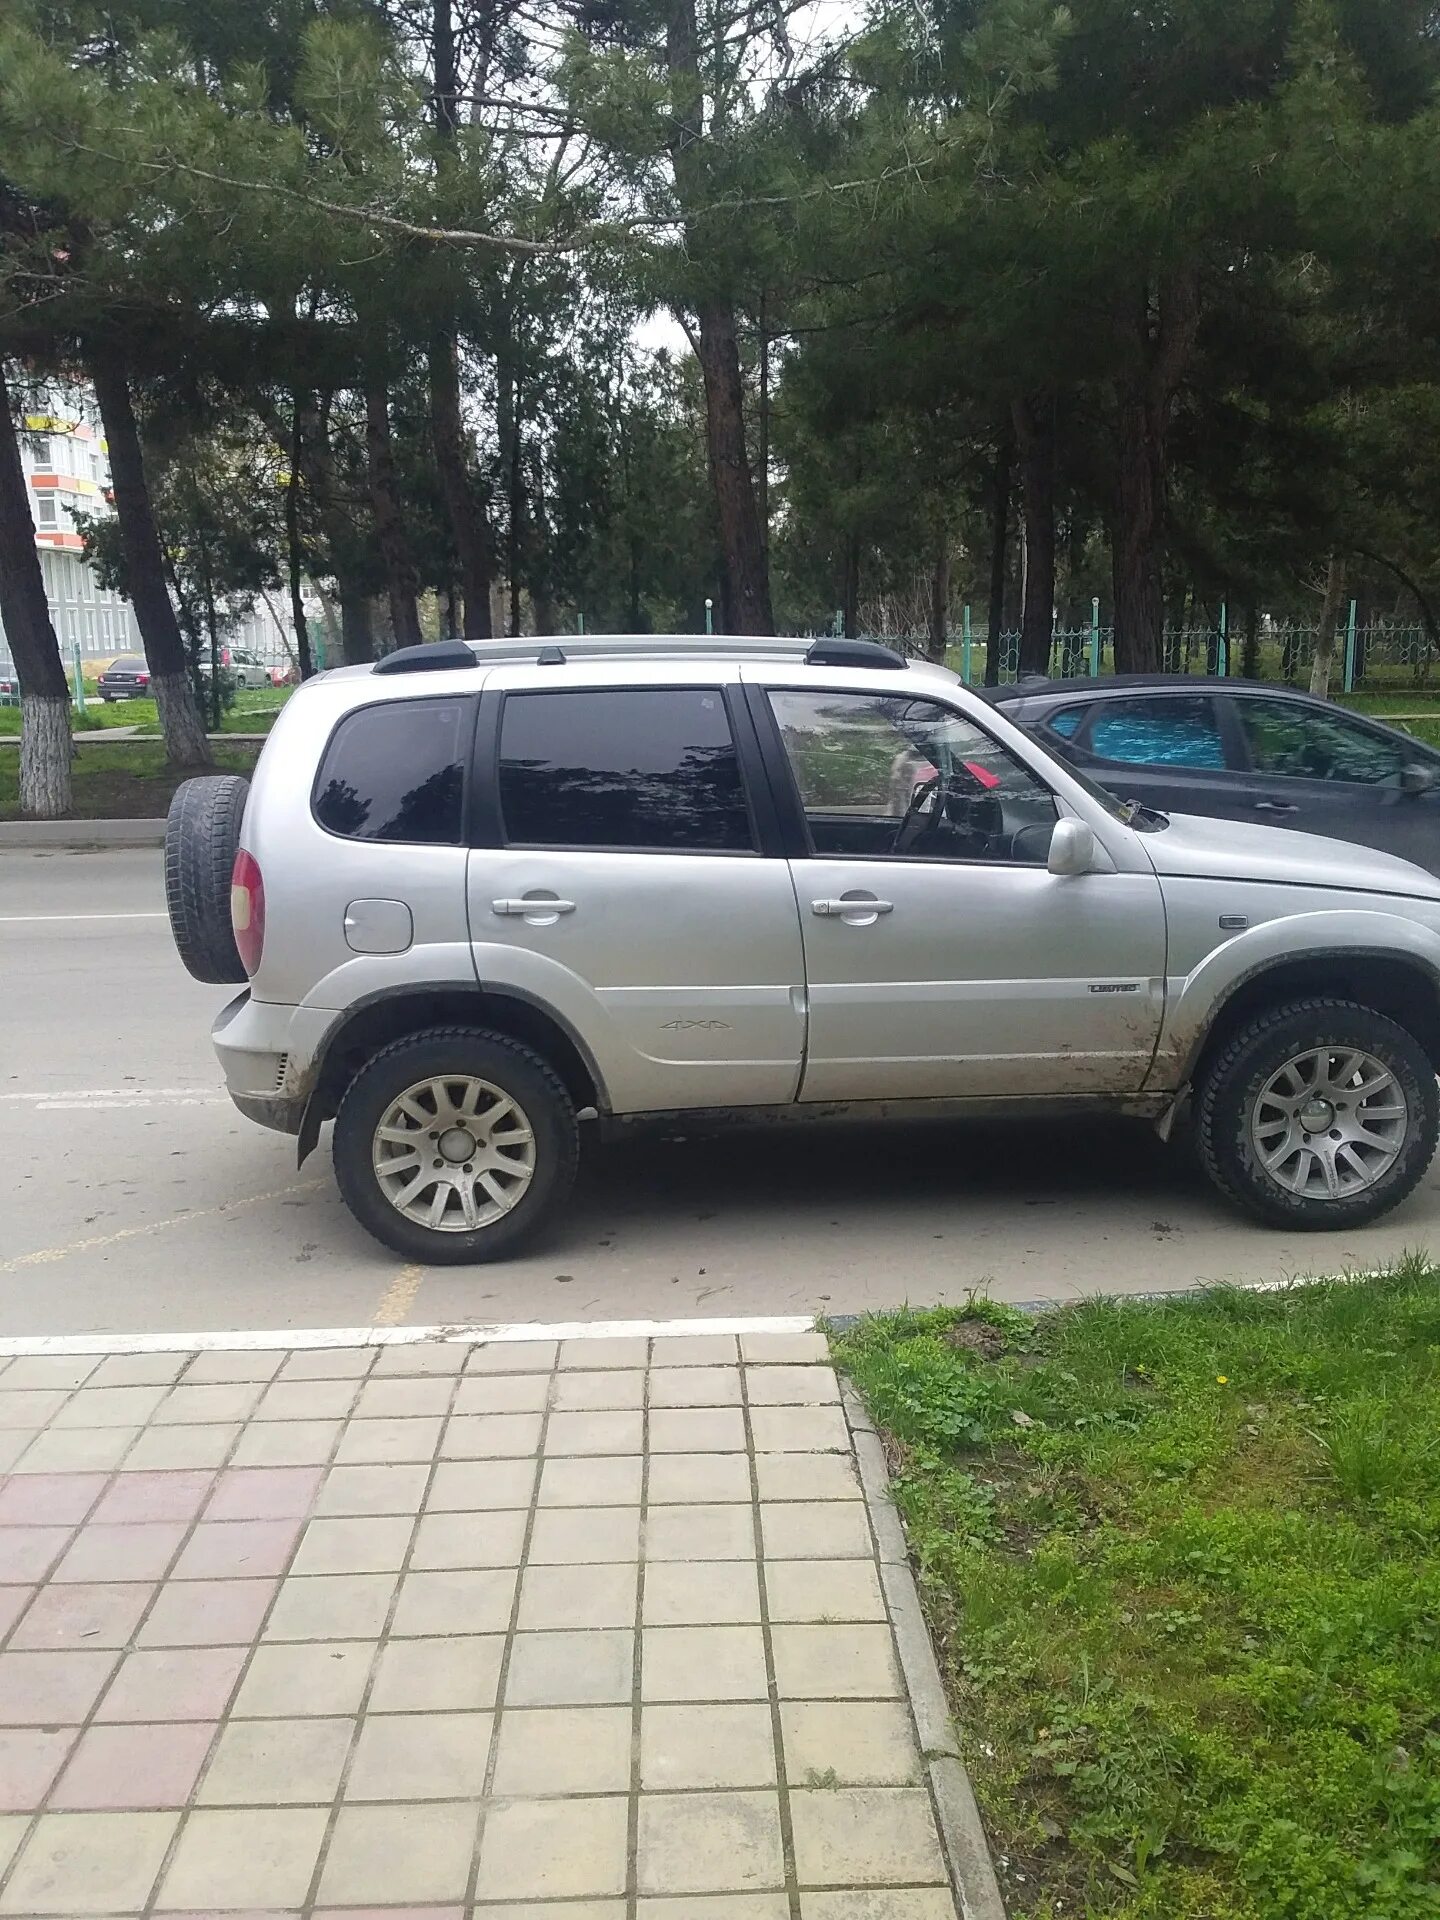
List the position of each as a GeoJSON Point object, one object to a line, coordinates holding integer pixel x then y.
{"type": "Point", "coordinates": [942, 955]}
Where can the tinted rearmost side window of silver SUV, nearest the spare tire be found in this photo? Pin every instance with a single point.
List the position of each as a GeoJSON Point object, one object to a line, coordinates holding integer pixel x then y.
{"type": "Point", "coordinates": [396, 773]}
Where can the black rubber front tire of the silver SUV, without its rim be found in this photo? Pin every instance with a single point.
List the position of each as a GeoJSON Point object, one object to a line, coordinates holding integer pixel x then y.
{"type": "Point", "coordinates": [1237, 1074]}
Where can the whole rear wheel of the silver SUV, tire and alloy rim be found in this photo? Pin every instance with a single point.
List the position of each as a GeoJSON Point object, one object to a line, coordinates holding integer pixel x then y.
{"type": "Point", "coordinates": [456, 1145]}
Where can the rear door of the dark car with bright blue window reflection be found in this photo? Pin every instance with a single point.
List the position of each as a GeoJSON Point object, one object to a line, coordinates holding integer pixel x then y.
{"type": "Point", "coordinates": [1164, 750]}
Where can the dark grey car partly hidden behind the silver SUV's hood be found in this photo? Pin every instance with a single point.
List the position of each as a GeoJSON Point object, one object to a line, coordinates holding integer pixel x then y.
{"type": "Point", "coordinates": [1241, 752]}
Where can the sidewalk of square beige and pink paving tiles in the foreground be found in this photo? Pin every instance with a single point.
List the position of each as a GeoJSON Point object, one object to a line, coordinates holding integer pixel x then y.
{"type": "Point", "coordinates": [531, 1631]}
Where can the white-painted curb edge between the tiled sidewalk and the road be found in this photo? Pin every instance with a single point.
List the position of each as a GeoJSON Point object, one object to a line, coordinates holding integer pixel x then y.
{"type": "Point", "coordinates": [314, 1337]}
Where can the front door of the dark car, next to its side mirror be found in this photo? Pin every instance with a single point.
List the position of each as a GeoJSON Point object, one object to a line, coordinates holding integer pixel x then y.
{"type": "Point", "coordinates": [1312, 767]}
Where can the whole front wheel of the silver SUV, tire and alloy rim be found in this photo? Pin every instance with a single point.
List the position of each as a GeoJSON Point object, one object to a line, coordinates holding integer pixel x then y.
{"type": "Point", "coordinates": [1318, 1115]}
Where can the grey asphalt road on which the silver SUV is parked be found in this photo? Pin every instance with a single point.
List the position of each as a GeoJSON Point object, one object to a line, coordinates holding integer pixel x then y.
{"type": "Point", "coordinates": [133, 1199]}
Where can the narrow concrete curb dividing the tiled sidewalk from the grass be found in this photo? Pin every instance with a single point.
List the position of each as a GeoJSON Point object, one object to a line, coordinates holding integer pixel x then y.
{"type": "Point", "coordinates": [963, 1835]}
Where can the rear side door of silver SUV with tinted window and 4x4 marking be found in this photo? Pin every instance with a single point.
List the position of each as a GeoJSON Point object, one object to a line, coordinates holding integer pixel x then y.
{"type": "Point", "coordinates": [623, 878]}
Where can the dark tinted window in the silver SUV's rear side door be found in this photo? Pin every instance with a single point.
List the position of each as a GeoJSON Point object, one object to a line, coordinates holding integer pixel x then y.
{"type": "Point", "coordinates": [652, 769]}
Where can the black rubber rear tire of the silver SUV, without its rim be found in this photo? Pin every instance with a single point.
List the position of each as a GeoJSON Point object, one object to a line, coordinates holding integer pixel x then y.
{"type": "Point", "coordinates": [456, 1051]}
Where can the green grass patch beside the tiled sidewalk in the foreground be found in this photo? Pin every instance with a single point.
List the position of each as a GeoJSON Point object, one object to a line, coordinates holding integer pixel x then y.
{"type": "Point", "coordinates": [1184, 1570]}
